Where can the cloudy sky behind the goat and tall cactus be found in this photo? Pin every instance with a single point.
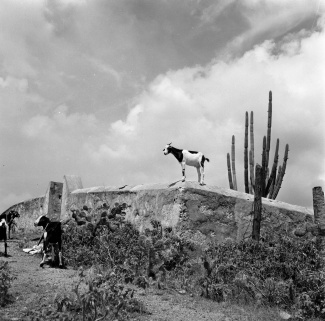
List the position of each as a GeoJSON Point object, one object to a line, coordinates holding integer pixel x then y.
{"type": "Point", "coordinates": [98, 88]}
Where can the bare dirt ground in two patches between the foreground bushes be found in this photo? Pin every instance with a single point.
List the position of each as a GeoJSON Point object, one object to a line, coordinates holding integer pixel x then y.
{"type": "Point", "coordinates": [35, 285]}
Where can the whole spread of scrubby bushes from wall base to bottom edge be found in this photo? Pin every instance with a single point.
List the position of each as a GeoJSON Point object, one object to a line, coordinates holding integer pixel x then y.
{"type": "Point", "coordinates": [115, 259]}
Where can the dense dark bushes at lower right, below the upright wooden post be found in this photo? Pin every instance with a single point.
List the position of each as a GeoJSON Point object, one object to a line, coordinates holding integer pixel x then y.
{"type": "Point", "coordinates": [285, 272]}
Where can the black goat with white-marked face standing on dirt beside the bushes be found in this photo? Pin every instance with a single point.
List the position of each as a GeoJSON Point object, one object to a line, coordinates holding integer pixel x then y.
{"type": "Point", "coordinates": [52, 235]}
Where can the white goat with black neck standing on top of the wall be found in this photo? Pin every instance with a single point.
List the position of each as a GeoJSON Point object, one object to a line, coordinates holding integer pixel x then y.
{"type": "Point", "coordinates": [188, 157]}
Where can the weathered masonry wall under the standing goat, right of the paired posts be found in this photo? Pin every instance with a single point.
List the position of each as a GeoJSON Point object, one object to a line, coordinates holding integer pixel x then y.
{"type": "Point", "coordinates": [197, 212]}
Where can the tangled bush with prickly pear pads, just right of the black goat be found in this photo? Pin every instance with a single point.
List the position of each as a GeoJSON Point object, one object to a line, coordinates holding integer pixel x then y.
{"type": "Point", "coordinates": [135, 256]}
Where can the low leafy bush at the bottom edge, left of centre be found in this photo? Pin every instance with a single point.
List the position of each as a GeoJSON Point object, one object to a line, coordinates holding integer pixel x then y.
{"type": "Point", "coordinates": [99, 295]}
